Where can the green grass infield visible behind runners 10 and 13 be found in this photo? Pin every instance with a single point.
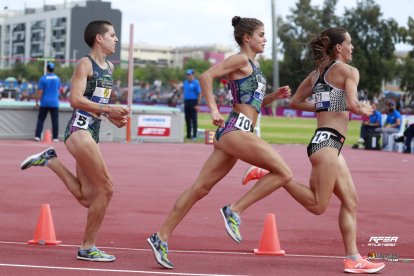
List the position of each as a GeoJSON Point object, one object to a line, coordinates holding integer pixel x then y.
{"type": "Point", "coordinates": [287, 130]}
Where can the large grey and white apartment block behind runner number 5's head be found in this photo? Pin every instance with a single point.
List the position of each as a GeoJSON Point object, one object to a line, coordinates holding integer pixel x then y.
{"type": "Point", "coordinates": [52, 31]}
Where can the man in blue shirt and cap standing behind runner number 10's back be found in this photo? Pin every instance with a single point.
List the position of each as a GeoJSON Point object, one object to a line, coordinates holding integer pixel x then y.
{"type": "Point", "coordinates": [192, 98]}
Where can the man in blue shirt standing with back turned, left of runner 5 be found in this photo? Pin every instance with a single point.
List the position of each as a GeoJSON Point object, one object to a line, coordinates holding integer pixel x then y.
{"type": "Point", "coordinates": [48, 92]}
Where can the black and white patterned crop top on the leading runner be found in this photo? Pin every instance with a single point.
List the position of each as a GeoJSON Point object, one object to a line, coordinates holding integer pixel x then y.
{"type": "Point", "coordinates": [326, 96]}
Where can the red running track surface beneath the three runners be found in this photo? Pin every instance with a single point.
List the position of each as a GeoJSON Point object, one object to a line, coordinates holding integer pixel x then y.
{"type": "Point", "coordinates": [149, 177]}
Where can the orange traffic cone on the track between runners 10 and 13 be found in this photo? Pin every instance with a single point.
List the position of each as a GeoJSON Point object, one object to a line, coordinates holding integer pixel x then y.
{"type": "Point", "coordinates": [269, 242]}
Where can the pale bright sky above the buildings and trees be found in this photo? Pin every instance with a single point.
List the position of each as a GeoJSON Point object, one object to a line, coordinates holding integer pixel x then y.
{"type": "Point", "coordinates": [207, 22]}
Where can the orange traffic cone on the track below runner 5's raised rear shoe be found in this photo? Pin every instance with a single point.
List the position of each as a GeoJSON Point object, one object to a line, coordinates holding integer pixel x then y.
{"type": "Point", "coordinates": [45, 230]}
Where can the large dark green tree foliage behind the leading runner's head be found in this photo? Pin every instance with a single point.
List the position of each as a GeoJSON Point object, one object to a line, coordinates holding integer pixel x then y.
{"type": "Point", "coordinates": [374, 39]}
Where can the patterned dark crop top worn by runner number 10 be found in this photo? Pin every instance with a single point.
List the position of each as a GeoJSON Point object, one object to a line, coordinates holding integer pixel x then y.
{"type": "Point", "coordinates": [248, 90]}
